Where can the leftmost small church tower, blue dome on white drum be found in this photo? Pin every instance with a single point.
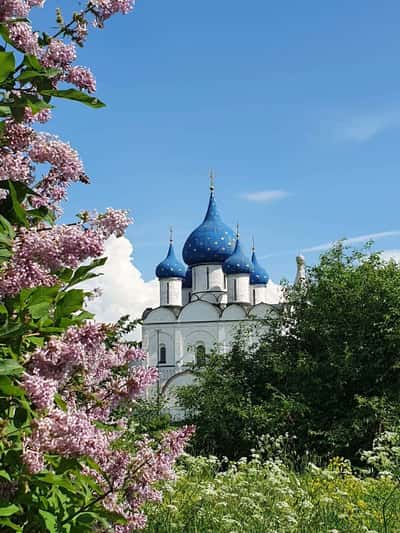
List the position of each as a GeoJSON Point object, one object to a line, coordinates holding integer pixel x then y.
{"type": "Point", "coordinates": [170, 273]}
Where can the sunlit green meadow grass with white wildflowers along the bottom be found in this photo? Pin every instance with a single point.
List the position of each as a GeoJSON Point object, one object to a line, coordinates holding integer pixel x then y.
{"type": "Point", "coordinates": [262, 497]}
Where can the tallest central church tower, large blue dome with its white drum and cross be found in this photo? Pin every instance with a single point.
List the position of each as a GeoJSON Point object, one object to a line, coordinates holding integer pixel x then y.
{"type": "Point", "coordinates": [205, 250]}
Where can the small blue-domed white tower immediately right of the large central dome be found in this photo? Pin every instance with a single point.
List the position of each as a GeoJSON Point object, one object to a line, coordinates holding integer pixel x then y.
{"type": "Point", "coordinates": [237, 269]}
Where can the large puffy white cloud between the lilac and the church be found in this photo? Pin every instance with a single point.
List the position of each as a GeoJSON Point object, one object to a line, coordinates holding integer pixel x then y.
{"type": "Point", "coordinates": [124, 291]}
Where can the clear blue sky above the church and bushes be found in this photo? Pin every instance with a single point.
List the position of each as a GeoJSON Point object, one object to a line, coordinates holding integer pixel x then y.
{"type": "Point", "coordinates": [302, 98]}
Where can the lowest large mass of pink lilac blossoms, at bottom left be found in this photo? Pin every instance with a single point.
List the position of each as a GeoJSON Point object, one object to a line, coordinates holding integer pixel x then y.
{"type": "Point", "coordinates": [73, 433]}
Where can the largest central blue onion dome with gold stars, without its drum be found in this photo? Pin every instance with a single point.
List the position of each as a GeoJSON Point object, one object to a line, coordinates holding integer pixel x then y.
{"type": "Point", "coordinates": [212, 242]}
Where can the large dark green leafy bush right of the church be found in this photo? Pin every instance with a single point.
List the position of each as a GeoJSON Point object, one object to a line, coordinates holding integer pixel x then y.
{"type": "Point", "coordinates": [326, 367]}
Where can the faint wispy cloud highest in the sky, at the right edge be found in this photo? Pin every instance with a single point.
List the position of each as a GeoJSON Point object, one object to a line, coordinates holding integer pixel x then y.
{"type": "Point", "coordinates": [364, 127]}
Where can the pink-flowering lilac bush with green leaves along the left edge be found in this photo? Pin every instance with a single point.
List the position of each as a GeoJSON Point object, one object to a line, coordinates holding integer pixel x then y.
{"type": "Point", "coordinates": [69, 460]}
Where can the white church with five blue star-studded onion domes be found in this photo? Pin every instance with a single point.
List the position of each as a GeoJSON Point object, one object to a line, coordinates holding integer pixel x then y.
{"type": "Point", "coordinates": [202, 304]}
